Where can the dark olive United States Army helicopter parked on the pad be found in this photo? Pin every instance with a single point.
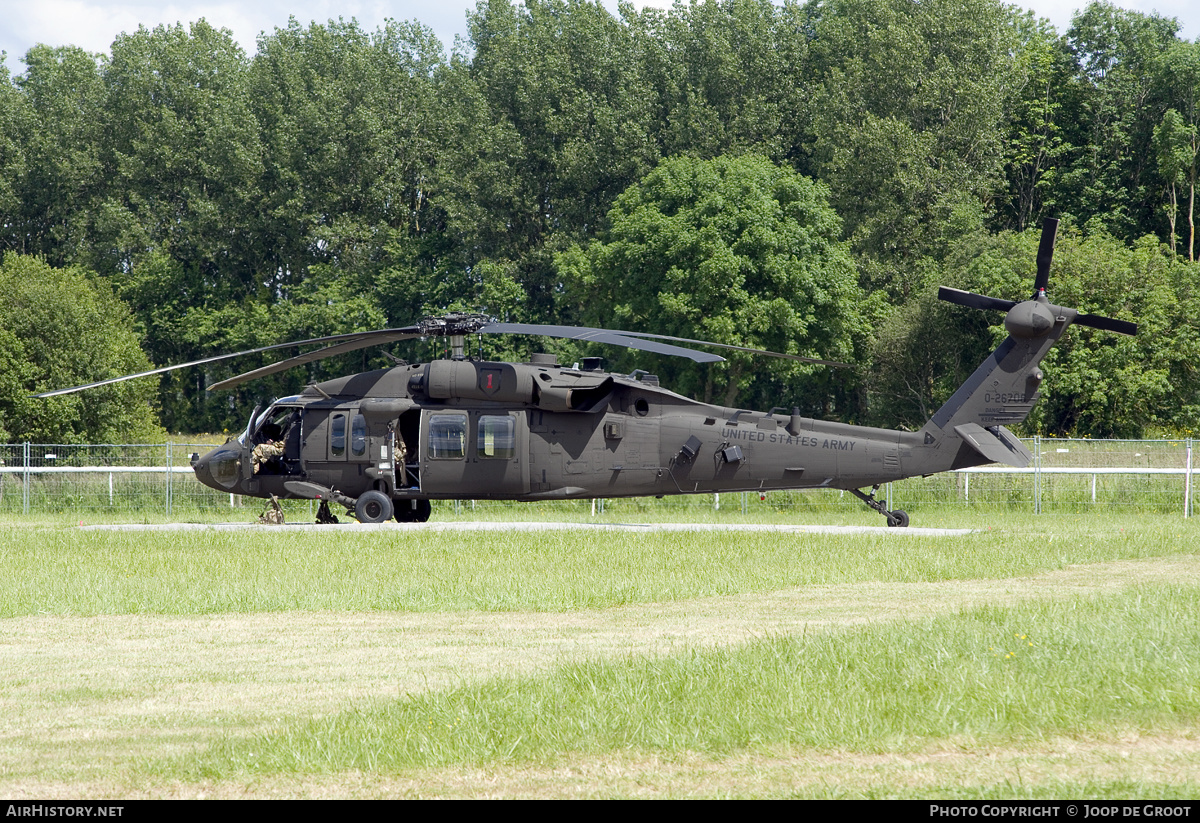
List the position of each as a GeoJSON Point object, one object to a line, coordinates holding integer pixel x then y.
{"type": "Point", "coordinates": [388, 442]}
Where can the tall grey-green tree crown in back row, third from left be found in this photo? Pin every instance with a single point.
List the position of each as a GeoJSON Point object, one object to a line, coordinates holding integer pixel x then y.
{"type": "Point", "coordinates": [351, 130]}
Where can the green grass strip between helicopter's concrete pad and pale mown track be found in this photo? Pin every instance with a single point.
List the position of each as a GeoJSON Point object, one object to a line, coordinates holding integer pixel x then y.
{"type": "Point", "coordinates": [69, 572]}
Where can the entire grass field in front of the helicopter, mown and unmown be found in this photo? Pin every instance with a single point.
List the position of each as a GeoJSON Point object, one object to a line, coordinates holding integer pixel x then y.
{"type": "Point", "coordinates": [1037, 657]}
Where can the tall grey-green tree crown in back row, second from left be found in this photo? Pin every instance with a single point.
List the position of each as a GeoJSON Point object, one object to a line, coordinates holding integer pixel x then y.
{"type": "Point", "coordinates": [184, 155]}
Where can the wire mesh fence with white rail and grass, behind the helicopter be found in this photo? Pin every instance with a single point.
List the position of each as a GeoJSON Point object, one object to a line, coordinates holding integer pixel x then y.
{"type": "Point", "coordinates": [1066, 476]}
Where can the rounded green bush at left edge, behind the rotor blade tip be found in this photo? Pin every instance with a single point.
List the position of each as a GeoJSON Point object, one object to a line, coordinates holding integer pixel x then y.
{"type": "Point", "coordinates": [61, 328]}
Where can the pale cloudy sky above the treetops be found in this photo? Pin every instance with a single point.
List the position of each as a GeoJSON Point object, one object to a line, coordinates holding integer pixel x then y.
{"type": "Point", "coordinates": [94, 25]}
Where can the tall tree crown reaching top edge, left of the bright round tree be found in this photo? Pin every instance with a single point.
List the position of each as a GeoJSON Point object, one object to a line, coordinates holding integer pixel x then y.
{"type": "Point", "coordinates": [553, 123]}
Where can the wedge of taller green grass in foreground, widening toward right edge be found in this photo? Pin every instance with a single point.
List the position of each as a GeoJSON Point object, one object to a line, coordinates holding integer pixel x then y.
{"type": "Point", "coordinates": [1093, 668]}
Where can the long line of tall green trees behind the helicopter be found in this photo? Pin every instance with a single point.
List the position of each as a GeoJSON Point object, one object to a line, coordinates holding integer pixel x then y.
{"type": "Point", "coordinates": [797, 177]}
